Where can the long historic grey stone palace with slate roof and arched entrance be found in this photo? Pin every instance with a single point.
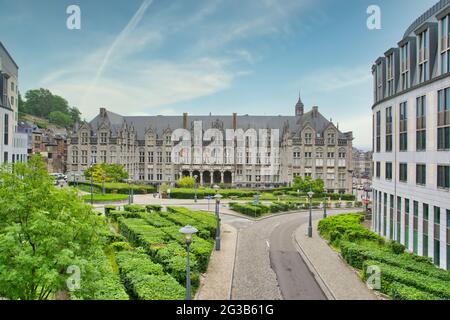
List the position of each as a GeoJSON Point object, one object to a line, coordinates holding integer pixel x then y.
{"type": "Point", "coordinates": [308, 145]}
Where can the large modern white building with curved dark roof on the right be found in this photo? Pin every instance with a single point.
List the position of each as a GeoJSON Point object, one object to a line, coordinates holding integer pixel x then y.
{"type": "Point", "coordinates": [411, 138]}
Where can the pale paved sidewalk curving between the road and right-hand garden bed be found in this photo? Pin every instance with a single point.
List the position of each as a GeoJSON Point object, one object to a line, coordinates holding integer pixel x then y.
{"type": "Point", "coordinates": [338, 280]}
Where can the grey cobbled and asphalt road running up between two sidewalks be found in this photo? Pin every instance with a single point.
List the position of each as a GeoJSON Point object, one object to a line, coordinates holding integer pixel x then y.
{"type": "Point", "coordinates": [268, 265]}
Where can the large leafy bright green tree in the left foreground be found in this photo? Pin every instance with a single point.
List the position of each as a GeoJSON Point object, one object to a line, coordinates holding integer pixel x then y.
{"type": "Point", "coordinates": [43, 231]}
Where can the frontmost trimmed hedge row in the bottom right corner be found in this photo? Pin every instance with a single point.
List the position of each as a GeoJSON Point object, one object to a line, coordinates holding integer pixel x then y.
{"type": "Point", "coordinates": [390, 274]}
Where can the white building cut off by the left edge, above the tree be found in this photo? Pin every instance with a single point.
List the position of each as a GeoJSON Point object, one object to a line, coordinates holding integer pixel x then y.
{"type": "Point", "coordinates": [13, 145]}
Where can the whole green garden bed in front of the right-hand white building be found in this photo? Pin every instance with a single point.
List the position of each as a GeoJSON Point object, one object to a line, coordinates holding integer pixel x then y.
{"type": "Point", "coordinates": [404, 275]}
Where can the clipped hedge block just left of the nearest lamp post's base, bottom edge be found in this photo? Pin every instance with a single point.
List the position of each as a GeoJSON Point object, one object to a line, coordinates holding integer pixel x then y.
{"type": "Point", "coordinates": [146, 280]}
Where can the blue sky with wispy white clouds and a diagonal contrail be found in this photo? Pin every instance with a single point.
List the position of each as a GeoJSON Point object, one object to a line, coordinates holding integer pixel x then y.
{"type": "Point", "coordinates": [152, 57]}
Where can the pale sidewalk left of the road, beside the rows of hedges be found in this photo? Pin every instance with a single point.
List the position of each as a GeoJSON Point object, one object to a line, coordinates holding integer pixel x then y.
{"type": "Point", "coordinates": [216, 283]}
